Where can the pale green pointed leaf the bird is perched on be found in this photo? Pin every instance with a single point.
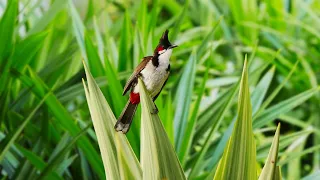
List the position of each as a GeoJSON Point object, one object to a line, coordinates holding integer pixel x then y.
{"type": "Point", "coordinates": [158, 158]}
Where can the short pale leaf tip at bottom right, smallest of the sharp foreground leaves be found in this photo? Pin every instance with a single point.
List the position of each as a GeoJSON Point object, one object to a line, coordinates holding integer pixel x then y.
{"type": "Point", "coordinates": [269, 171]}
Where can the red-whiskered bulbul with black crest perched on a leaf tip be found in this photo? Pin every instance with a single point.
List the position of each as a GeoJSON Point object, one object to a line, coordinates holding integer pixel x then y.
{"type": "Point", "coordinates": [154, 72]}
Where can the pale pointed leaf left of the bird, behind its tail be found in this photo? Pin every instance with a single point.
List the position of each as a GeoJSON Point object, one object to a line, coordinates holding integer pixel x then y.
{"type": "Point", "coordinates": [103, 121]}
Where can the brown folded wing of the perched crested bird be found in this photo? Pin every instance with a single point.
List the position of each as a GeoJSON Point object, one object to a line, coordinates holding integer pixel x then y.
{"type": "Point", "coordinates": [134, 75]}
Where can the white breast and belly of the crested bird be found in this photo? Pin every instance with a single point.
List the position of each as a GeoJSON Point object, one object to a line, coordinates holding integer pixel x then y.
{"type": "Point", "coordinates": [154, 77]}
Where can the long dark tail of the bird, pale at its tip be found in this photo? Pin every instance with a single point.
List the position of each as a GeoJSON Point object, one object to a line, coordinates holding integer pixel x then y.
{"type": "Point", "coordinates": [125, 119]}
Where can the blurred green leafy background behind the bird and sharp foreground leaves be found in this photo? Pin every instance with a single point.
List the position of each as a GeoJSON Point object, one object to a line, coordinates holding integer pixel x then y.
{"type": "Point", "coordinates": [43, 110]}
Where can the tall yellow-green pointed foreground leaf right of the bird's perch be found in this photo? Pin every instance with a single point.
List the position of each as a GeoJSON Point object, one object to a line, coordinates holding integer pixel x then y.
{"type": "Point", "coordinates": [239, 158]}
